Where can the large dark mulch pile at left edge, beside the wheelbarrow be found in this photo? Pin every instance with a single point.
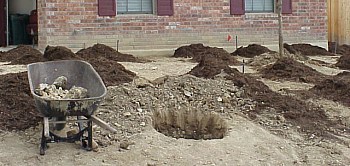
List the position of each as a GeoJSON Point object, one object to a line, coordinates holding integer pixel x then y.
{"type": "Point", "coordinates": [17, 109]}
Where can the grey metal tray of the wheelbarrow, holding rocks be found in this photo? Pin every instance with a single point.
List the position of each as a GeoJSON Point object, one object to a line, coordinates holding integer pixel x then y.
{"type": "Point", "coordinates": [78, 73]}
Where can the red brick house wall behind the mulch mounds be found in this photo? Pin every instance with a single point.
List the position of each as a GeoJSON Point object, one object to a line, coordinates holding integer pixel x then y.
{"type": "Point", "coordinates": [75, 23]}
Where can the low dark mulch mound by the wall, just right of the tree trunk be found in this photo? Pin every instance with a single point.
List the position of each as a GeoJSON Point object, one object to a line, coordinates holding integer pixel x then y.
{"type": "Point", "coordinates": [306, 49]}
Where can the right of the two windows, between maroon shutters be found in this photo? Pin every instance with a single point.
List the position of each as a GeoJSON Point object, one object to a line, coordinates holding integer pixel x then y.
{"type": "Point", "coordinates": [259, 6]}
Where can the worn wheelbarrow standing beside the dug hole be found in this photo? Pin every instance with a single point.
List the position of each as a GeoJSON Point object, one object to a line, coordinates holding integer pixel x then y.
{"type": "Point", "coordinates": [55, 111]}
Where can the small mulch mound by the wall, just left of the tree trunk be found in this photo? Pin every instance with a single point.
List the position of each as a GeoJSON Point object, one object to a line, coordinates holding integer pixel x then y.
{"type": "Point", "coordinates": [251, 51]}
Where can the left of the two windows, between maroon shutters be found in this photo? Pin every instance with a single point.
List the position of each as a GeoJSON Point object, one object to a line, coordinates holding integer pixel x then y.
{"type": "Point", "coordinates": [135, 6]}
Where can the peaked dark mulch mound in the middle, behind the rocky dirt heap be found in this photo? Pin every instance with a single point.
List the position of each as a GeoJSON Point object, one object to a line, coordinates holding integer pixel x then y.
{"type": "Point", "coordinates": [209, 67]}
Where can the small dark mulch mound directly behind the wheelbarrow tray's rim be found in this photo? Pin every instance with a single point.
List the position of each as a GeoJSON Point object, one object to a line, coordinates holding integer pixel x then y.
{"type": "Point", "coordinates": [53, 53]}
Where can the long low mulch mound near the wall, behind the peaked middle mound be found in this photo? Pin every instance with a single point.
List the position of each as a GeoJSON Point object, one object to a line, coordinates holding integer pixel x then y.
{"type": "Point", "coordinates": [198, 51]}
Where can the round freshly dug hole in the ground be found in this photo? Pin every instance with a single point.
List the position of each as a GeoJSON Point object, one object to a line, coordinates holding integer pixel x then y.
{"type": "Point", "coordinates": [190, 124]}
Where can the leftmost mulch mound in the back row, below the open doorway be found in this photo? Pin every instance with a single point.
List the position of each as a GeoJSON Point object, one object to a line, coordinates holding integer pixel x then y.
{"type": "Point", "coordinates": [22, 54]}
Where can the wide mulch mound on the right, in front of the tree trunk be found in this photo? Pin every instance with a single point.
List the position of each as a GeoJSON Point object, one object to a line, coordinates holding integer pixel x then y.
{"type": "Point", "coordinates": [291, 70]}
